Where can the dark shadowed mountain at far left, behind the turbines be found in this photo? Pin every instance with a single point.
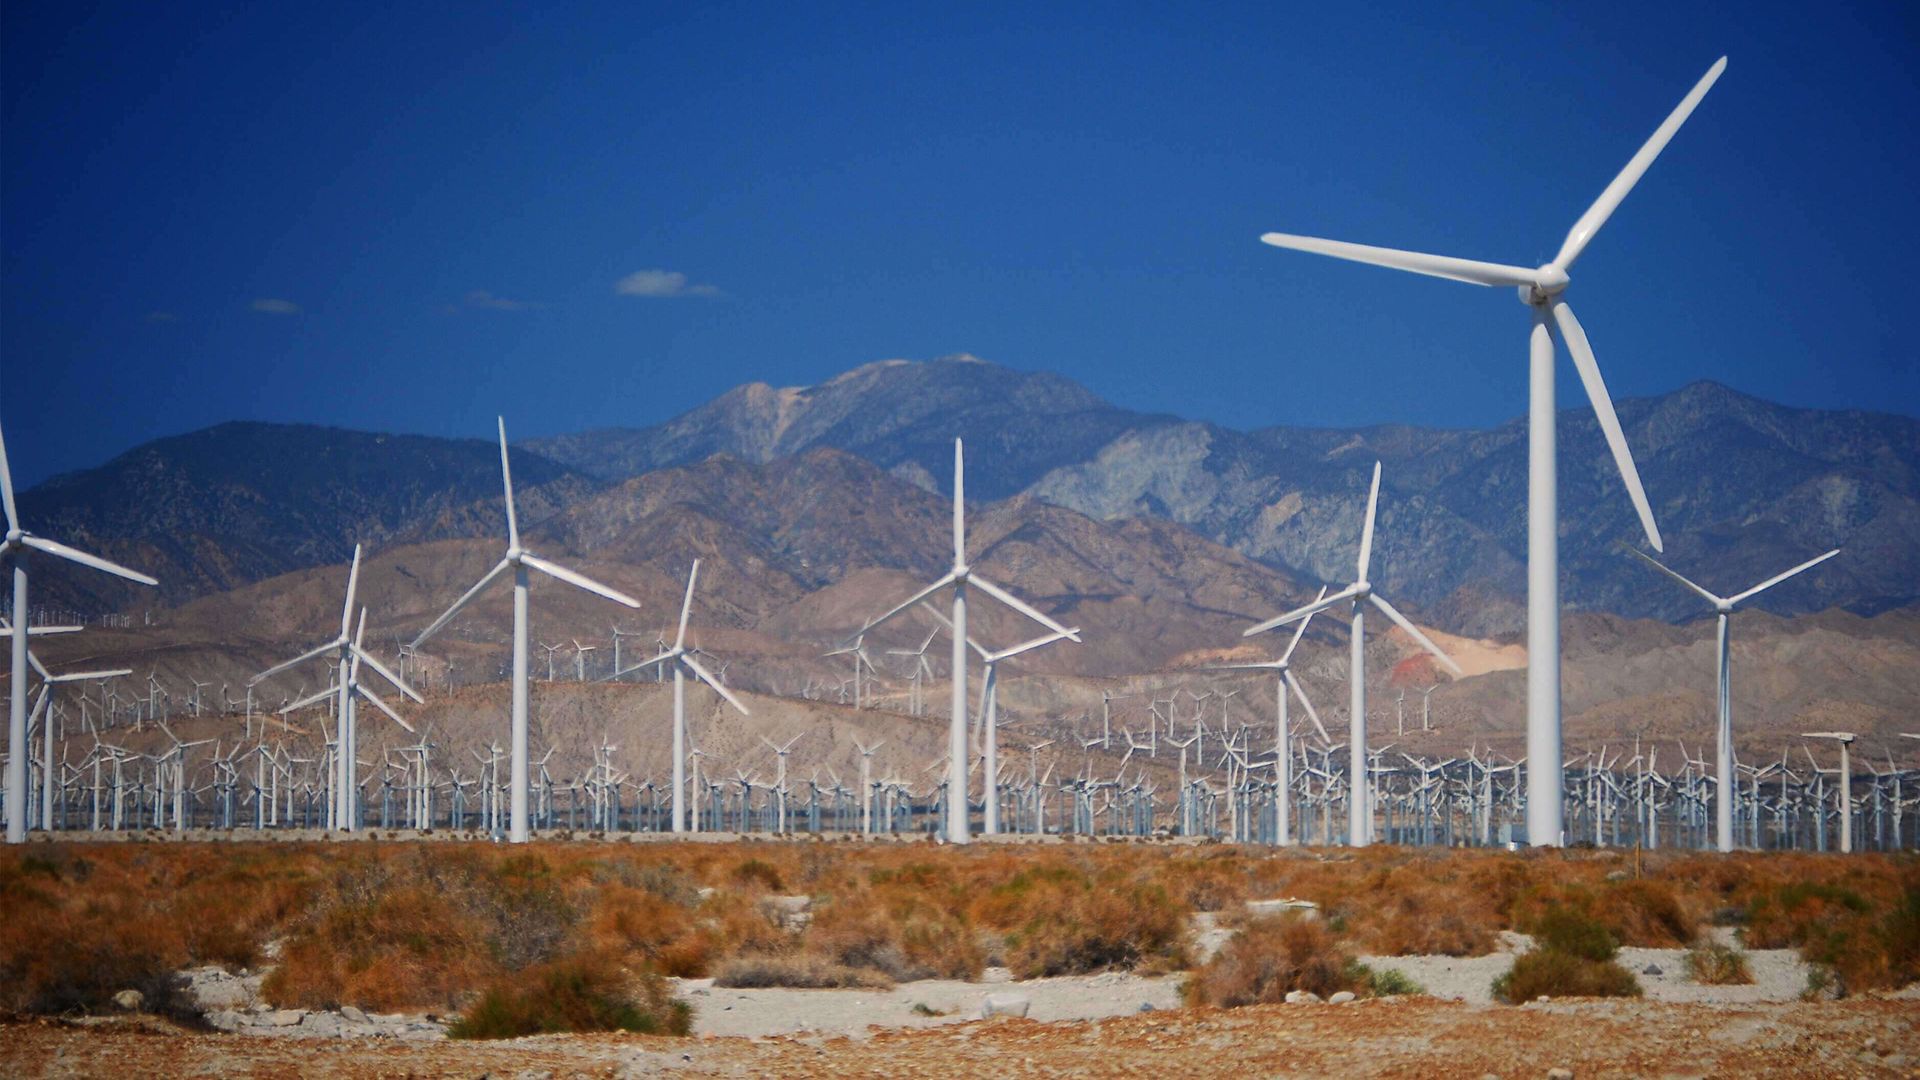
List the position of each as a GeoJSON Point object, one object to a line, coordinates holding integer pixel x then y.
{"type": "Point", "coordinates": [241, 503]}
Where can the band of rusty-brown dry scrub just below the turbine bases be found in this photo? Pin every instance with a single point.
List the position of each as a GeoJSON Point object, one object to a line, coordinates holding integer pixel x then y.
{"type": "Point", "coordinates": [431, 925]}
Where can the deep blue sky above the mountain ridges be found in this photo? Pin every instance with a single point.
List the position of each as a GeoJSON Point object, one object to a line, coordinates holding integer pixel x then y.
{"type": "Point", "coordinates": [414, 220]}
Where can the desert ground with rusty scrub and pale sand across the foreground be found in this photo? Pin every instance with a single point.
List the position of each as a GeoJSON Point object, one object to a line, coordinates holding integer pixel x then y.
{"type": "Point", "coordinates": [884, 960]}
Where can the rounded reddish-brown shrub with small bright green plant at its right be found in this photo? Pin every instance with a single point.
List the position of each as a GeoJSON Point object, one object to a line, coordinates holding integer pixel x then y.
{"type": "Point", "coordinates": [1272, 958]}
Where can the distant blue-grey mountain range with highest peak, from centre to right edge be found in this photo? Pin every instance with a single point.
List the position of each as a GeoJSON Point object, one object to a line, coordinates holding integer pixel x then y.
{"type": "Point", "coordinates": [1742, 489]}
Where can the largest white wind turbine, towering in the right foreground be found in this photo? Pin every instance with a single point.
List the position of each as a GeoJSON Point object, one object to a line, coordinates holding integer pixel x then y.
{"type": "Point", "coordinates": [1545, 293]}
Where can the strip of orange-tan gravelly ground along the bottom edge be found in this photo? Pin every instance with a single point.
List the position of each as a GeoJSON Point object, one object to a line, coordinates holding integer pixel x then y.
{"type": "Point", "coordinates": [1410, 1037]}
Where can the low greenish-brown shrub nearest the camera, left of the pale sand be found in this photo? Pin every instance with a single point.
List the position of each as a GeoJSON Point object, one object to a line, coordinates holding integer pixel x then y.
{"type": "Point", "coordinates": [583, 993]}
